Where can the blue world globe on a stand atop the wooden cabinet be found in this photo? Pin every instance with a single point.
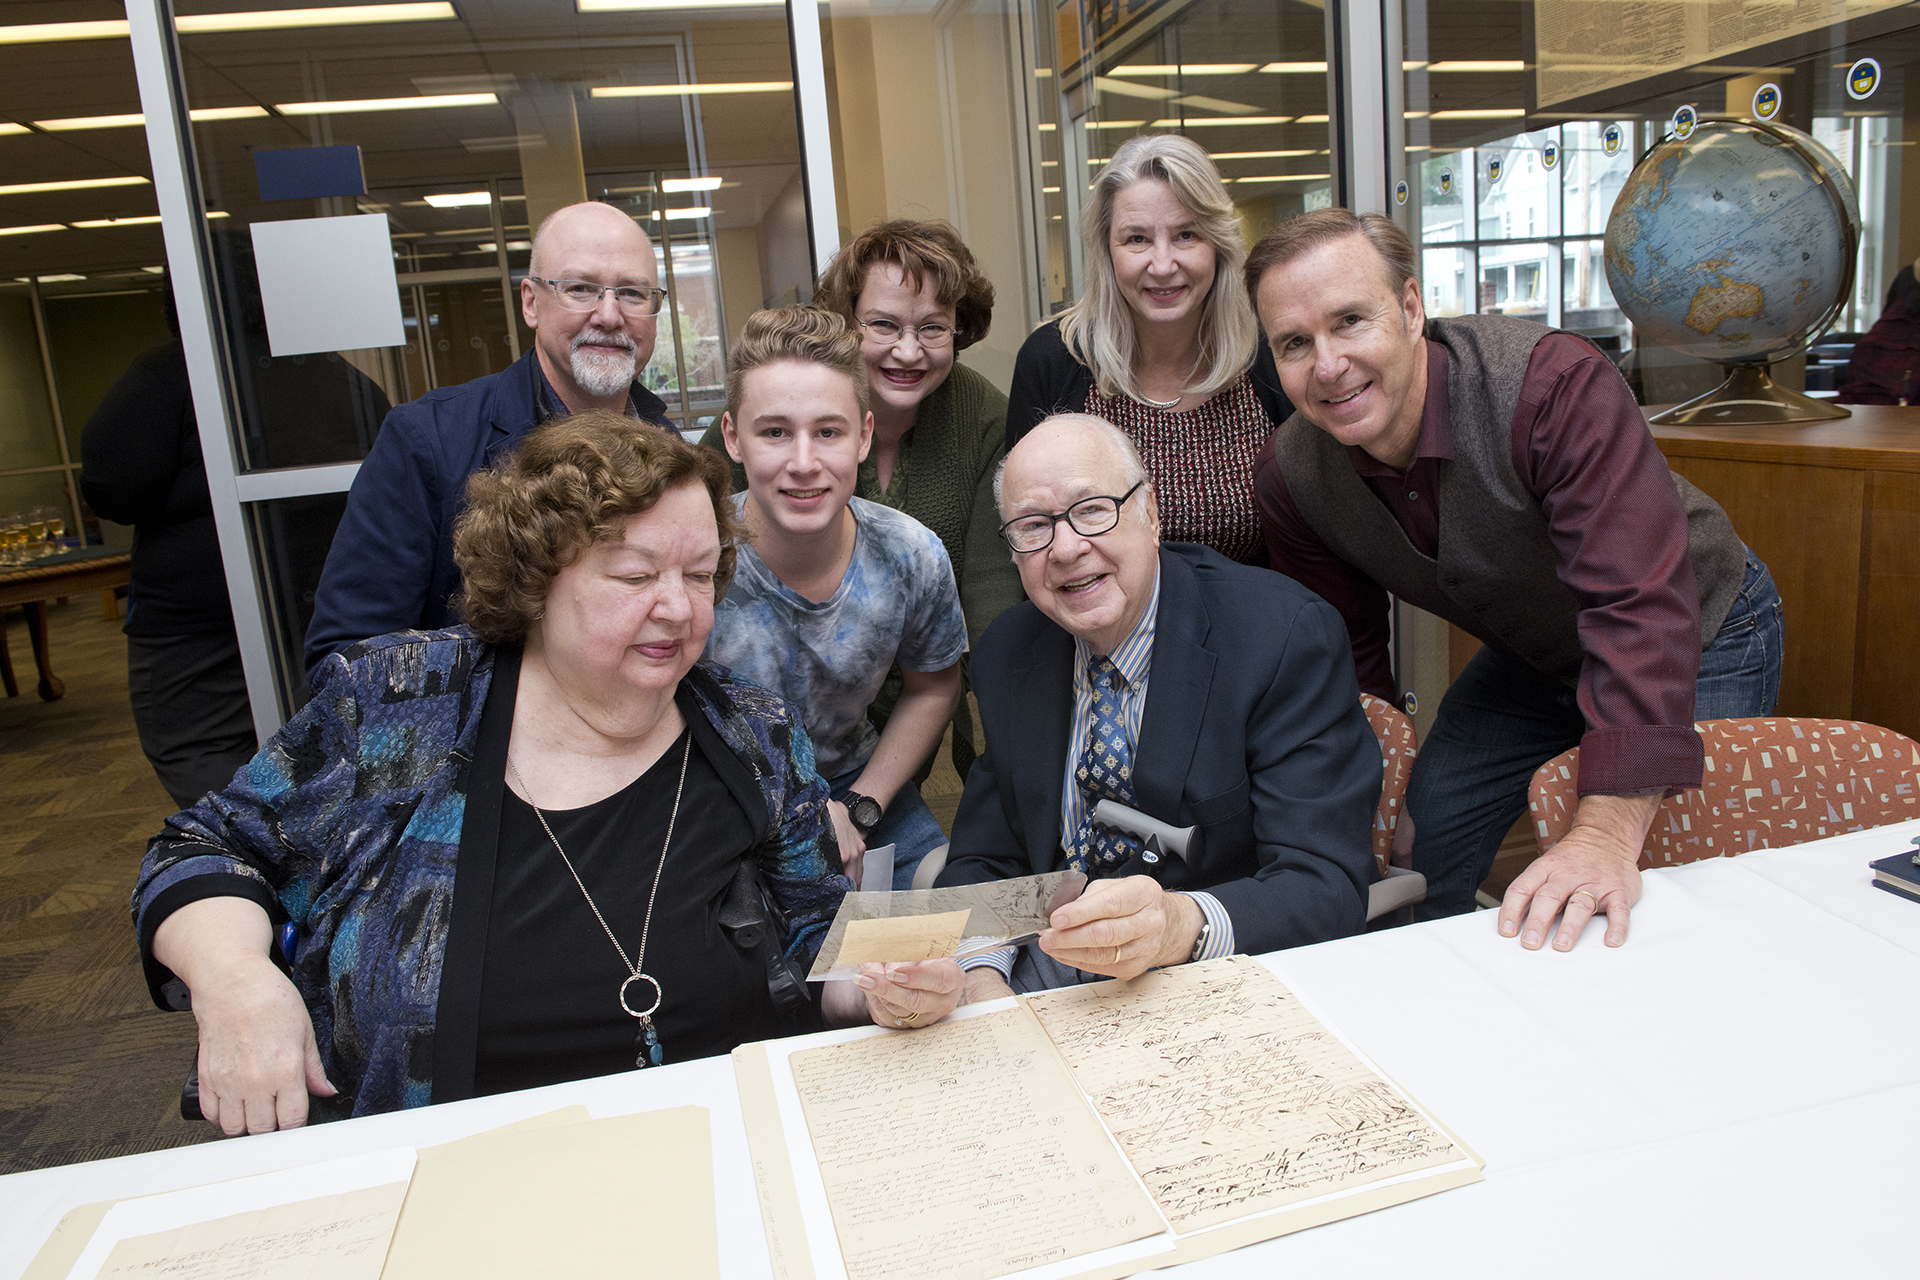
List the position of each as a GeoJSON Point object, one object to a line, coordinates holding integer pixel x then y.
{"type": "Point", "coordinates": [1737, 245]}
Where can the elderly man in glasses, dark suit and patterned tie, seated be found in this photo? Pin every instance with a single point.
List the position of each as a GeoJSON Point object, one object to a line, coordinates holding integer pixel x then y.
{"type": "Point", "coordinates": [1195, 690]}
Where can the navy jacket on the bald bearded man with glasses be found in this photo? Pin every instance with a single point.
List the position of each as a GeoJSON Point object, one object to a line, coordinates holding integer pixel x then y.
{"type": "Point", "coordinates": [391, 567]}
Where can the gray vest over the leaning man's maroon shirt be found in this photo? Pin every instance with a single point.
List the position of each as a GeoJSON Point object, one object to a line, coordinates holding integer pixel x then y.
{"type": "Point", "coordinates": [1497, 575]}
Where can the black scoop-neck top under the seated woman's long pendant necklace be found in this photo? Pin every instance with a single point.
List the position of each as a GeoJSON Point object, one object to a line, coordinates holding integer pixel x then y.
{"type": "Point", "coordinates": [550, 987]}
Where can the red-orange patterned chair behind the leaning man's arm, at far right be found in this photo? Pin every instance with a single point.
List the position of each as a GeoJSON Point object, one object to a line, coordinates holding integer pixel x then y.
{"type": "Point", "coordinates": [1769, 782]}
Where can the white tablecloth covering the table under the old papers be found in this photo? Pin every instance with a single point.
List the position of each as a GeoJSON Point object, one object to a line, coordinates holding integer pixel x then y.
{"type": "Point", "coordinates": [1733, 1093]}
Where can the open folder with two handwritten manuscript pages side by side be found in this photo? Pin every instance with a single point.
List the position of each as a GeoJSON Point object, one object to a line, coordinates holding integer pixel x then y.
{"type": "Point", "coordinates": [1095, 1131]}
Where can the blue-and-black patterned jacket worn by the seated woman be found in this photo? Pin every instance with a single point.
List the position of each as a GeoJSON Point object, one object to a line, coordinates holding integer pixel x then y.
{"type": "Point", "coordinates": [373, 817]}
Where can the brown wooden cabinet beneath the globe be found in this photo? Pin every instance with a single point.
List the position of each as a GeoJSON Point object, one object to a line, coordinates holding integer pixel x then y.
{"type": "Point", "coordinates": [1835, 510]}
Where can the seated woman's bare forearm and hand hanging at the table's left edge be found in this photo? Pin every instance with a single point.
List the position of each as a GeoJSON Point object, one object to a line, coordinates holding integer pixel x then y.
{"type": "Point", "coordinates": [258, 1058]}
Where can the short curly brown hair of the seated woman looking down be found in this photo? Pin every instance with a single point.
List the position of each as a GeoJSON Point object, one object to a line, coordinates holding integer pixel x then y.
{"type": "Point", "coordinates": [571, 485]}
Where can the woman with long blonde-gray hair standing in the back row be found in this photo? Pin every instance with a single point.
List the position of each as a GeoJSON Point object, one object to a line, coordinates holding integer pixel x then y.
{"type": "Point", "coordinates": [1164, 344]}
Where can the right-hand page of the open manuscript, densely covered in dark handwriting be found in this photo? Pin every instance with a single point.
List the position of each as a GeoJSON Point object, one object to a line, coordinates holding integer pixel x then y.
{"type": "Point", "coordinates": [1230, 1097]}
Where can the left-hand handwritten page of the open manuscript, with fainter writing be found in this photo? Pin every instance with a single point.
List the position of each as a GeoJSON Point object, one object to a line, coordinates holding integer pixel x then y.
{"type": "Point", "coordinates": [963, 1152]}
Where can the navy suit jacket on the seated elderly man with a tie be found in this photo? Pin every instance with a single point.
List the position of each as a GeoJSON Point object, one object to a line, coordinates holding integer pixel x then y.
{"type": "Point", "coordinates": [1253, 732]}
